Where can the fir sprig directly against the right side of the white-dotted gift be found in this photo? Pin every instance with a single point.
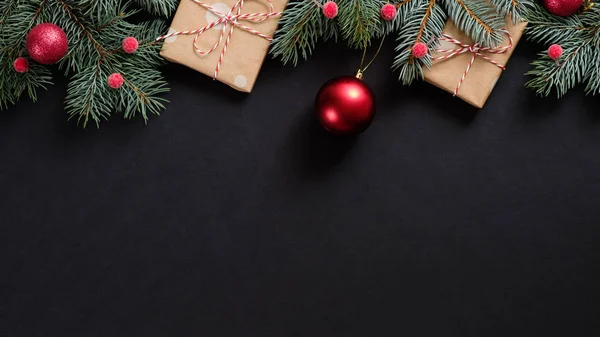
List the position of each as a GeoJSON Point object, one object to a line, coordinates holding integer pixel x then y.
{"type": "Point", "coordinates": [301, 27]}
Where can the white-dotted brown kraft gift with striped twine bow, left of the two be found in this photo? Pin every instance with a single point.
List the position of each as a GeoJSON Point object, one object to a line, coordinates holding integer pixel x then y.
{"type": "Point", "coordinates": [203, 22]}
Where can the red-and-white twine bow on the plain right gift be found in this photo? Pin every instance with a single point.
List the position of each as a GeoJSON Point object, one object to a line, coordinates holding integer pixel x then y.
{"type": "Point", "coordinates": [477, 51]}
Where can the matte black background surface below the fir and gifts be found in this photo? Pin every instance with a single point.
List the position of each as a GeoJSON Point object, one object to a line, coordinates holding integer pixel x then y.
{"type": "Point", "coordinates": [234, 215]}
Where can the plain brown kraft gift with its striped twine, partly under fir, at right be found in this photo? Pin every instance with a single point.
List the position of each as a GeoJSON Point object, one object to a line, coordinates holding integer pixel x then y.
{"type": "Point", "coordinates": [451, 71]}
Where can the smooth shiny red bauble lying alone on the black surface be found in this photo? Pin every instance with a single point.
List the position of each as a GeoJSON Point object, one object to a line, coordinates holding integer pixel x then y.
{"type": "Point", "coordinates": [345, 105]}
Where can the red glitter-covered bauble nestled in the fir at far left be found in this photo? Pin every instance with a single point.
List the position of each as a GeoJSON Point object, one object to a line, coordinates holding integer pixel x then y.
{"type": "Point", "coordinates": [47, 43]}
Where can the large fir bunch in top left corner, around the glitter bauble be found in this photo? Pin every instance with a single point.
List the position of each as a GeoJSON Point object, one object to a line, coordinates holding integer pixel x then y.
{"type": "Point", "coordinates": [95, 30]}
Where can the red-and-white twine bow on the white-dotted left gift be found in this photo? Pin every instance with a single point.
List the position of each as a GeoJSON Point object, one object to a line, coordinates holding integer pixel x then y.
{"type": "Point", "coordinates": [230, 18]}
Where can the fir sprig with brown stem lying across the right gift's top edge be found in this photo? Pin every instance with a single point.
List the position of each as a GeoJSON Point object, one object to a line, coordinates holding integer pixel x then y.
{"type": "Point", "coordinates": [477, 19]}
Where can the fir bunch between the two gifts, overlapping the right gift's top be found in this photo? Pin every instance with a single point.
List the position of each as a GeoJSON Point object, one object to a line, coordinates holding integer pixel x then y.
{"type": "Point", "coordinates": [359, 22]}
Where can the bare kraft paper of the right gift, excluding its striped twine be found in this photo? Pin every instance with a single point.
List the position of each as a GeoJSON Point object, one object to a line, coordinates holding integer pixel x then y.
{"type": "Point", "coordinates": [482, 76]}
